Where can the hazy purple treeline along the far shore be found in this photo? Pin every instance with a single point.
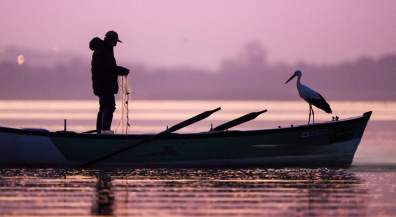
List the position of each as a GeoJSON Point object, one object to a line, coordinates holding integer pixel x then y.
{"type": "Point", "coordinates": [247, 76]}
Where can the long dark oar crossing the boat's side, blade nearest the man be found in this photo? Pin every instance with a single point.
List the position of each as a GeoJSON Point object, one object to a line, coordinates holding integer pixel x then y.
{"type": "Point", "coordinates": [167, 131]}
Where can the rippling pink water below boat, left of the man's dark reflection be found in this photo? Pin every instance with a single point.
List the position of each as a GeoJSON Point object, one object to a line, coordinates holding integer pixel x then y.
{"type": "Point", "coordinates": [28, 192]}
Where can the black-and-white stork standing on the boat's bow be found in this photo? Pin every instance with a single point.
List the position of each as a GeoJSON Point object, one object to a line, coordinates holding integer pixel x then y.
{"type": "Point", "coordinates": [310, 96]}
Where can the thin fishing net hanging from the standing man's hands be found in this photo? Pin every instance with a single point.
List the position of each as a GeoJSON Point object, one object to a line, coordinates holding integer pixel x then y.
{"type": "Point", "coordinates": [124, 122]}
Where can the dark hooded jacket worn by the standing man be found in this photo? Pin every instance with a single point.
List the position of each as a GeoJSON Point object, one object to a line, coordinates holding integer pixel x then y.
{"type": "Point", "coordinates": [104, 68]}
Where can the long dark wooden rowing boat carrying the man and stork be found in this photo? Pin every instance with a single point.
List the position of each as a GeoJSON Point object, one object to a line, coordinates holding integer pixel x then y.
{"type": "Point", "coordinates": [326, 144]}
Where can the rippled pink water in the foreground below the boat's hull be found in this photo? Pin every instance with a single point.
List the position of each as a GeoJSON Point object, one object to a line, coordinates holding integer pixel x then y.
{"type": "Point", "coordinates": [197, 192]}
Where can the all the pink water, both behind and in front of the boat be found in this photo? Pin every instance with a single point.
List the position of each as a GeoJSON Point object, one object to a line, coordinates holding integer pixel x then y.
{"type": "Point", "coordinates": [367, 188]}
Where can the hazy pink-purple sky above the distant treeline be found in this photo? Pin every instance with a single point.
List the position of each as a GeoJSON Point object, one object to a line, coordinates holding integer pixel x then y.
{"type": "Point", "coordinates": [201, 33]}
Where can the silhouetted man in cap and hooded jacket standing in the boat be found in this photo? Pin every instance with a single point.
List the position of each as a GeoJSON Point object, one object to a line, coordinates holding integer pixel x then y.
{"type": "Point", "coordinates": [105, 74]}
